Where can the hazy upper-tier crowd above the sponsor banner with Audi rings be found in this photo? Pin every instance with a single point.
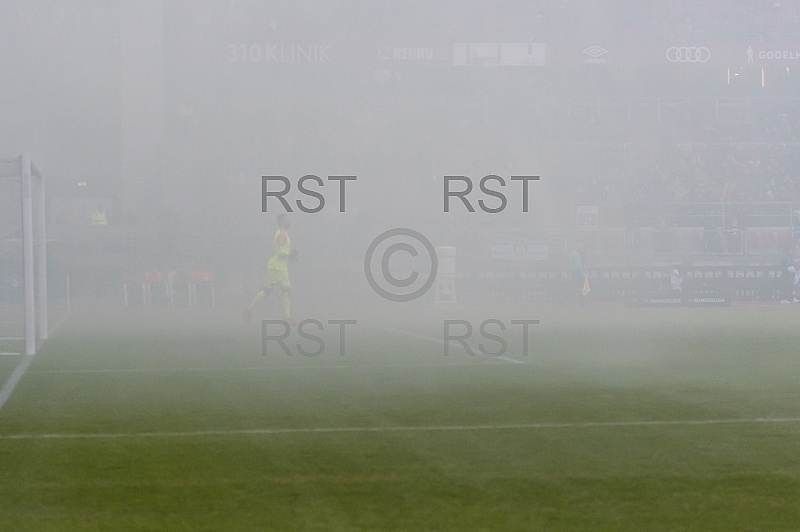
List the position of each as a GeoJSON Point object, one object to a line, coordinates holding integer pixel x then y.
{"type": "Point", "coordinates": [633, 20]}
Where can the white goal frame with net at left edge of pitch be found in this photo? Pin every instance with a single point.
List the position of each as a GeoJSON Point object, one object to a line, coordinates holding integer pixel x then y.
{"type": "Point", "coordinates": [23, 259]}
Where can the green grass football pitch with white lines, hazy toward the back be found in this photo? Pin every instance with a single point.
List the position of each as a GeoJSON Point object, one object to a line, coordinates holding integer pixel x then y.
{"type": "Point", "coordinates": [617, 419]}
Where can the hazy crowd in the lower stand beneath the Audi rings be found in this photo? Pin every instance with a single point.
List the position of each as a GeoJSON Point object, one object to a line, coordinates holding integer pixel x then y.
{"type": "Point", "coordinates": [684, 157]}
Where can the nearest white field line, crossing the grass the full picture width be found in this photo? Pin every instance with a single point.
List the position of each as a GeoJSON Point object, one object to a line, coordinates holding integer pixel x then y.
{"type": "Point", "coordinates": [430, 428]}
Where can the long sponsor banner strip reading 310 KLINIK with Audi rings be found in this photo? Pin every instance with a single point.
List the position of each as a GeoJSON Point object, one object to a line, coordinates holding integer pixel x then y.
{"type": "Point", "coordinates": [258, 51]}
